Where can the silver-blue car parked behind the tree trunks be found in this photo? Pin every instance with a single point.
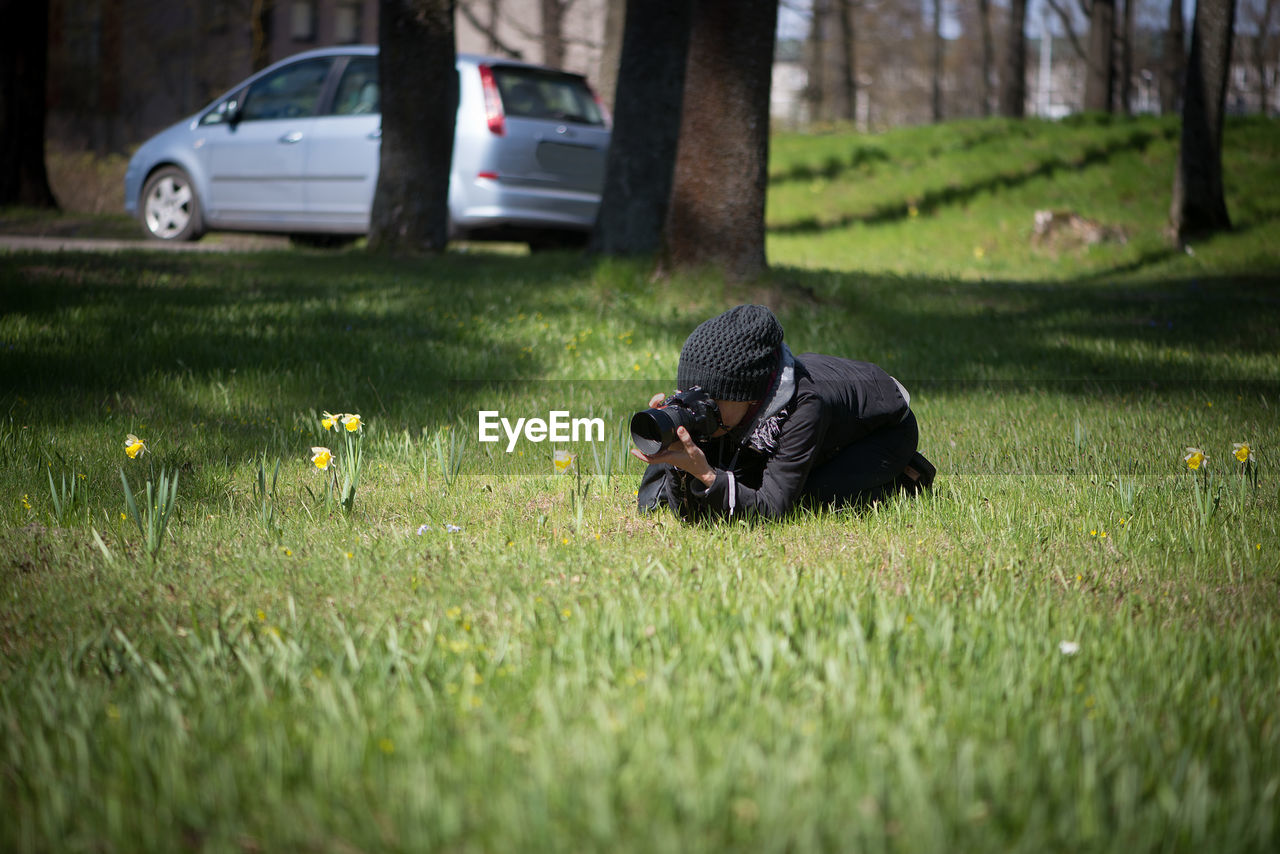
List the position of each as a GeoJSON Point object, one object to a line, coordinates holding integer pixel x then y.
{"type": "Point", "coordinates": [295, 150]}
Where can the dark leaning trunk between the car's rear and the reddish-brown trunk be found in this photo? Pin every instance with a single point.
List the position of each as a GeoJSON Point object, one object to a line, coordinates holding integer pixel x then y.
{"type": "Point", "coordinates": [646, 129]}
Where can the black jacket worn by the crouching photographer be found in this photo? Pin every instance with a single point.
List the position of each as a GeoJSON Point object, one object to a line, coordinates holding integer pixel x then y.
{"type": "Point", "coordinates": [762, 467]}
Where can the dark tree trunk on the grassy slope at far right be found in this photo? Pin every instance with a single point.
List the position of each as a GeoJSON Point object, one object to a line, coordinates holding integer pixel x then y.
{"type": "Point", "coordinates": [1200, 205]}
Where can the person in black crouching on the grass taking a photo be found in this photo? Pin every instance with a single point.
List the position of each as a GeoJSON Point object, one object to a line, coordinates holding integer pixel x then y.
{"type": "Point", "coordinates": [793, 428]}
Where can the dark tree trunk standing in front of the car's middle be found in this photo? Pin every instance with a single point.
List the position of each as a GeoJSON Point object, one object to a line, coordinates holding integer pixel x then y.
{"type": "Point", "coordinates": [419, 103]}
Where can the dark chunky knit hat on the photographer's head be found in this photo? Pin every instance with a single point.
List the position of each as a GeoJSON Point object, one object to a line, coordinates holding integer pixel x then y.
{"type": "Point", "coordinates": [734, 357]}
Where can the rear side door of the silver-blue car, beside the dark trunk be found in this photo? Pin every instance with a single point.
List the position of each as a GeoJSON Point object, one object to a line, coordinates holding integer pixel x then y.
{"type": "Point", "coordinates": [342, 157]}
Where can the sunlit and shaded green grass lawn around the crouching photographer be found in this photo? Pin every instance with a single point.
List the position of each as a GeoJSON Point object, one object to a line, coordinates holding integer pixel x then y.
{"type": "Point", "coordinates": [500, 659]}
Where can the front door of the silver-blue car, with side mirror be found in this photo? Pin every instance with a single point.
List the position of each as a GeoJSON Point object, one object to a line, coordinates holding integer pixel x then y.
{"type": "Point", "coordinates": [257, 158]}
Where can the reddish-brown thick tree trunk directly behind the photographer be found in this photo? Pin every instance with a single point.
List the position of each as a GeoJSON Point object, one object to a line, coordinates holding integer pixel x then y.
{"type": "Point", "coordinates": [717, 205]}
